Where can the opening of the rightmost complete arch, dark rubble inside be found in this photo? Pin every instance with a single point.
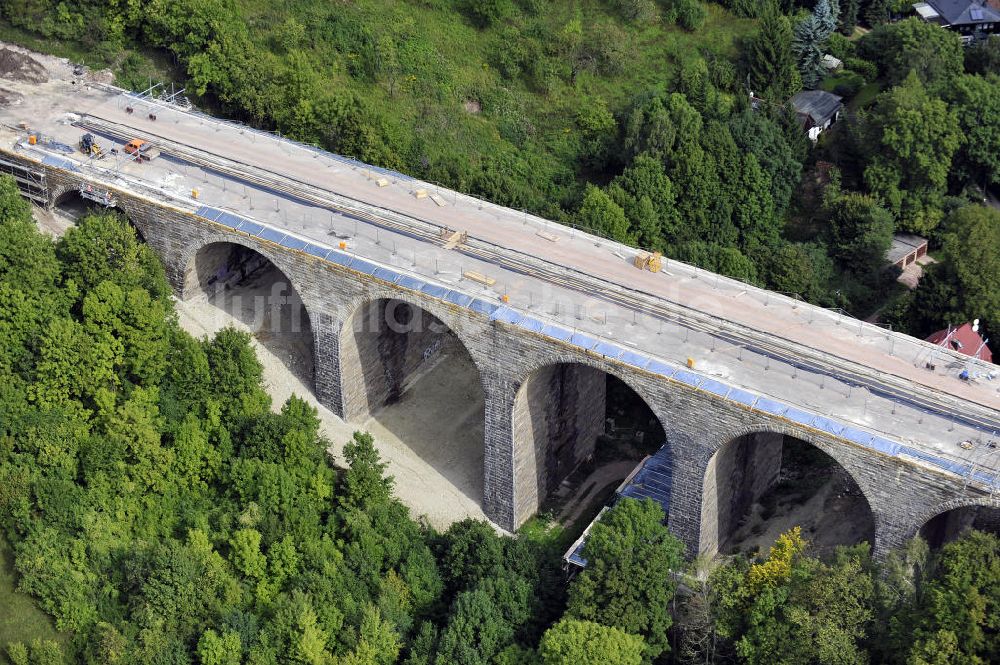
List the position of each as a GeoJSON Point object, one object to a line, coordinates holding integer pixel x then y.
{"type": "Point", "coordinates": [759, 485]}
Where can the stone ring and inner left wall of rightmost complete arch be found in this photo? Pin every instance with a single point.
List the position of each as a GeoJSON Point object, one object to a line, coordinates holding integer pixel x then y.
{"type": "Point", "coordinates": [746, 461]}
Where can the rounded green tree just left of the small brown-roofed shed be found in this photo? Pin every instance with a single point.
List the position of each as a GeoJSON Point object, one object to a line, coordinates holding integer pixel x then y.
{"type": "Point", "coordinates": [860, 232]}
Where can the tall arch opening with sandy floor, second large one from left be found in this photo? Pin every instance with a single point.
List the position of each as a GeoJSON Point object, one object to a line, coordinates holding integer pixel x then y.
{"type": "Point", "coordinates": [410, 380]}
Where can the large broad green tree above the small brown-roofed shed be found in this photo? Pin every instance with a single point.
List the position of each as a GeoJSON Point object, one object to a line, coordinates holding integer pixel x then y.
{"type": "Point", "coordinates": [912, 138]}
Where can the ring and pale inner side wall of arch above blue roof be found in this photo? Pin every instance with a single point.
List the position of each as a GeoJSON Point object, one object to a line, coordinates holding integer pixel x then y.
{"type": "Point", "coordinates": [558, 412]}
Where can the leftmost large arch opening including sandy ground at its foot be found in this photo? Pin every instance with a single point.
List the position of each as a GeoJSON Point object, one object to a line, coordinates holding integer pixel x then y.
{"type": "Point", "coordinates": [230, 284]}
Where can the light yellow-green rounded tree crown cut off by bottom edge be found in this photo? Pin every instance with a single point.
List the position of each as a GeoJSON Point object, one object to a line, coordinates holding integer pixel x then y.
{"type": "Point", "coordinates": [572, 642]}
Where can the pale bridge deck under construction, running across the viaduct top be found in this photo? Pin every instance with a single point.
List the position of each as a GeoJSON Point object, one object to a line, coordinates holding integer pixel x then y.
{"type": "Point", "coordinates": [746, 336]}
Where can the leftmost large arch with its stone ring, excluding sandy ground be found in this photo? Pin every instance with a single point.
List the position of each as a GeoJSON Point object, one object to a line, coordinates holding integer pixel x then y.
{"type": "Point", "coordinates": [253, 287]}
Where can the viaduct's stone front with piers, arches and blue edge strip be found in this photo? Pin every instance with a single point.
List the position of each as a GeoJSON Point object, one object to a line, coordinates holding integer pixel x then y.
{"type": "Point", "coordinates": [521, 365]}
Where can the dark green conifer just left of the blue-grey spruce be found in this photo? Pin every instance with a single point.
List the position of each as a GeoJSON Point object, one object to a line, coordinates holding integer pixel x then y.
{"type": "Point", "coordinates": [770, 62]}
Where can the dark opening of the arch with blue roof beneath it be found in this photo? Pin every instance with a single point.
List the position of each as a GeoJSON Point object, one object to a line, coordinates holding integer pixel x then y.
{"type": "Point", "coordinates": [578, 433]}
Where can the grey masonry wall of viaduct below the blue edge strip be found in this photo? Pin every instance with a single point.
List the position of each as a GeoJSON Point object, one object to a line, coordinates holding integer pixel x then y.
{"type": "Point", "coordinates": [902, 495]}
